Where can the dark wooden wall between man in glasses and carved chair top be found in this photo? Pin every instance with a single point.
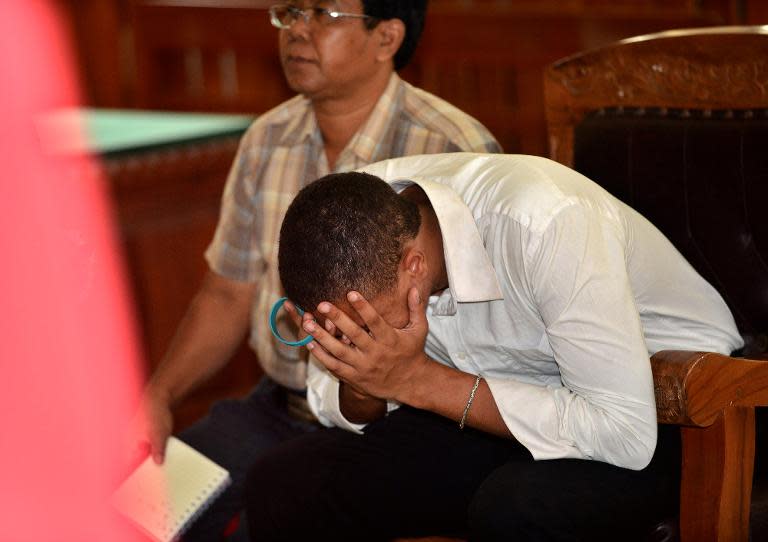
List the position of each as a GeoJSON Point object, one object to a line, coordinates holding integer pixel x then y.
{"type": "Point", "coordinates": [490, 64]}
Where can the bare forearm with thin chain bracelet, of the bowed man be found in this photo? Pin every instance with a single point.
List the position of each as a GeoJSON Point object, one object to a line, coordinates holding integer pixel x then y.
{"type": "Point", "coordinates": [445, 391]}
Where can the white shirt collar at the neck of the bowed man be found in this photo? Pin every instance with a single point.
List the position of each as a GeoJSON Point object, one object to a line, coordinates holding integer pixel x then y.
{"type": "Point", "coordinates": [471, 277]}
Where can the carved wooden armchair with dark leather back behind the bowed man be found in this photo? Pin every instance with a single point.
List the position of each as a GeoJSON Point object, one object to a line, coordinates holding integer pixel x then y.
{"type": "Point", "coordinates": [676, 125]}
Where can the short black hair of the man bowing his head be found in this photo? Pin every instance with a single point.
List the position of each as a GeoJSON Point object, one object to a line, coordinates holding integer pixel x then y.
{"type": "Point", "coordinates": [345, 231]}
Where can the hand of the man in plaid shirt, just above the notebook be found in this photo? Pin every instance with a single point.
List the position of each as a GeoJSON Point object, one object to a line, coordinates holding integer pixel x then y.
{"type": "Point", "coordinates": [151, 427]}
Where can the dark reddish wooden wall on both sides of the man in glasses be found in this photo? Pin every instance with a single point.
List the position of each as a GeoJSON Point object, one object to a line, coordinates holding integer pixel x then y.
{"type": "Point", "coordinates": [485, 56]}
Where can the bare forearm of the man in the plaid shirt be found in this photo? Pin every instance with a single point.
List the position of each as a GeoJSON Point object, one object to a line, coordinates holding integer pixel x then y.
{"type": "Point", "coordinates": [206, 339]}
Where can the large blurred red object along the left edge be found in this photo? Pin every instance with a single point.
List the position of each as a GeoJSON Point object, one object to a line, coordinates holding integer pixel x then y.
{"type": "Point", "coordinates": [68, 356]}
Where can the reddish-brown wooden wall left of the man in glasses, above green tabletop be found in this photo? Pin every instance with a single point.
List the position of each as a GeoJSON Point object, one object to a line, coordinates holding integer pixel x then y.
{"type": "Point", "coordinates": [207, 59]}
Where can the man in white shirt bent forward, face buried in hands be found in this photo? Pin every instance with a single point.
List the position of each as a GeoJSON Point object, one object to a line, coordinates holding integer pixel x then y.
{"type": "Point", "coordinates": [481, 331]}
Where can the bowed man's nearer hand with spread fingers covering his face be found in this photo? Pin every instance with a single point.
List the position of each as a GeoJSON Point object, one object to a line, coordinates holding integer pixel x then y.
{"type": "Point", "coordinates": [383, 362]}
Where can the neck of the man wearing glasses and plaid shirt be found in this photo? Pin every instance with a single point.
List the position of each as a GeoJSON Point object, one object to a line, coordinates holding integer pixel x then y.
{"type": "Point", "coordinates": [341, 117]}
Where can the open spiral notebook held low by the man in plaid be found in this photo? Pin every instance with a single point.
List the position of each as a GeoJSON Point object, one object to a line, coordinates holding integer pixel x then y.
{"type": "Point", "coordinates": [164, 500]}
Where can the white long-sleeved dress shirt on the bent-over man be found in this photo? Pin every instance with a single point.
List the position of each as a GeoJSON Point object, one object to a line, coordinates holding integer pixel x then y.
{"type": "Point", "coordinates": [558, 294]}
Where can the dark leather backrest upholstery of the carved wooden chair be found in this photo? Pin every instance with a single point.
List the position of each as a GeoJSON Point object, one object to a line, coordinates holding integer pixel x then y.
{"type": "Point", "coordinates": [702, 179]}
